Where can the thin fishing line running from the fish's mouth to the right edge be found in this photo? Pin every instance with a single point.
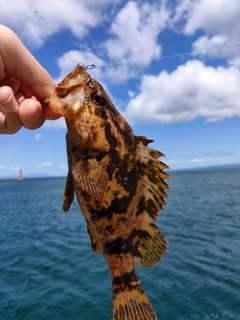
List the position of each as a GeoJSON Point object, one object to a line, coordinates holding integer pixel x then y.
{"type": "Point", "coordinates": [92, 66]}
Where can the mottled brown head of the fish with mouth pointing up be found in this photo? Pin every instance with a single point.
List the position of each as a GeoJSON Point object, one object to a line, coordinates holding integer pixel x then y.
{"type": "Point", "coordinates": [93, 121]}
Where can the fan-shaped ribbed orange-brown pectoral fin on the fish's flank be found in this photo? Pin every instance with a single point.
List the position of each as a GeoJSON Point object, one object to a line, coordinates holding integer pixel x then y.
{"type": "Point", "coordinates": [91, 178]}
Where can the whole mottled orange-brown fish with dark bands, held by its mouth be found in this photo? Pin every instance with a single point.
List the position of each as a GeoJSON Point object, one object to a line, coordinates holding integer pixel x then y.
{"type": "Point", "coordinates": [119, 183]}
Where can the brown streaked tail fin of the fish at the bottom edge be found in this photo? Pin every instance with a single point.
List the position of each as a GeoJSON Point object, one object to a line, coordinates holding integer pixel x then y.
{"type": "Point", "coordinates": [130, 302]}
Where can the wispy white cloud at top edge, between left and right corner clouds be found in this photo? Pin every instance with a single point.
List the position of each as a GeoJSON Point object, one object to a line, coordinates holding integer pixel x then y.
{"type": "Point", "coordinates": [135, 31]}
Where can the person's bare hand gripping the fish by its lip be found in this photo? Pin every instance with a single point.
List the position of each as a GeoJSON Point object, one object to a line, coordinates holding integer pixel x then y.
{"type": "Point", "coordinates": [24, 83]}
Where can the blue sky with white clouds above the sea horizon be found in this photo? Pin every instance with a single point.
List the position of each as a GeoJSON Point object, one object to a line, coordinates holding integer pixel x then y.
{"type": "Point", "coordinates": [171, 67]}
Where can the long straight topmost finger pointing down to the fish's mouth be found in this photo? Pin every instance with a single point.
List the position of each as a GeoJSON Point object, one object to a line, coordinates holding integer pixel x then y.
{"type": "Point", "coordinates": [18, 62]}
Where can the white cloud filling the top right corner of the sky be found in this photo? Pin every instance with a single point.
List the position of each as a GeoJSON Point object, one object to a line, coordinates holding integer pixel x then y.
{"type": "Point", "coordinates": [220, 22]}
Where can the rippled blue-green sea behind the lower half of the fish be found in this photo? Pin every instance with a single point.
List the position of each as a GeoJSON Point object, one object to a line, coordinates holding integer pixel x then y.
{"type": "Point", "coordinates": [49, 272]}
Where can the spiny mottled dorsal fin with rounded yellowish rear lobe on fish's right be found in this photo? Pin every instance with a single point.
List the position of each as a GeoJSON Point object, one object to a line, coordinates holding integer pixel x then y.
{"type": "Point", "coordinates": [152, 245]}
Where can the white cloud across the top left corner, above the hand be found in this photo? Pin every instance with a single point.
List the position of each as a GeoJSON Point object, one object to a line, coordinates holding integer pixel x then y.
{"type": "Point", "coordinates": [35, 21]}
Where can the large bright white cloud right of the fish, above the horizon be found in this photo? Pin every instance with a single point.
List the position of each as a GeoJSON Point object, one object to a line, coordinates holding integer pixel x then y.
{"type": "Point", "coordinates": [192, 90]}
